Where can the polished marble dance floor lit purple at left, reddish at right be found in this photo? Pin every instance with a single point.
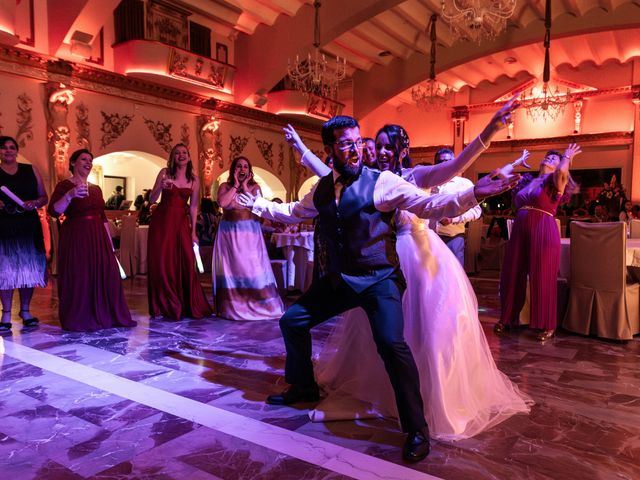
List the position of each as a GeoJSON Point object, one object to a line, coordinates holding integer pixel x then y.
{"type": "Point", "coordinates": [184, 400]}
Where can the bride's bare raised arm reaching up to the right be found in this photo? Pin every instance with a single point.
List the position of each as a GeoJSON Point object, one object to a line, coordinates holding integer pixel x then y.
{"type": "Point", "coordinates": [431, 175]}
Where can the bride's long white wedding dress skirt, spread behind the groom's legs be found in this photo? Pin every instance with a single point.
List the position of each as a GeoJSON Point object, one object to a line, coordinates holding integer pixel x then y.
{"type": "Point", "coordinates": [464, 393]}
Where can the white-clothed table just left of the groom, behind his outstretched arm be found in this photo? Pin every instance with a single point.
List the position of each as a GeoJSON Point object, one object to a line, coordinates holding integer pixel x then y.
{"type": "Point", "coordinates": [298, 252]}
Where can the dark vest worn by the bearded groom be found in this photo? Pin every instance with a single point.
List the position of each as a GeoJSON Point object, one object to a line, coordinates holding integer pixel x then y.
{"type": "Point", "coordinates": [360, 240]}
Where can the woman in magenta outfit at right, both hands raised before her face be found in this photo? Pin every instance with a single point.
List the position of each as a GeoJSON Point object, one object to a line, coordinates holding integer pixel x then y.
{"type": "Point", "coordinates": [534, 247]}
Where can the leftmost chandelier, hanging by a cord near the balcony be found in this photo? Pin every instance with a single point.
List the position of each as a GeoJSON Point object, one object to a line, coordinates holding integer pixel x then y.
{"type": "Point", "coordinates": [312, 75]}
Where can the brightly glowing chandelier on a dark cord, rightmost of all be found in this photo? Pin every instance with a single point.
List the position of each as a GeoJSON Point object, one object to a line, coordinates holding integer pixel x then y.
{"type": "Point", "coordinates": [546, 103]}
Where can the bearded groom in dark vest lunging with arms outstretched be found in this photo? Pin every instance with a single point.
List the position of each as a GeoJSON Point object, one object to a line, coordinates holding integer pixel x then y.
{"type": "Point", "coordinates": [356, 207]}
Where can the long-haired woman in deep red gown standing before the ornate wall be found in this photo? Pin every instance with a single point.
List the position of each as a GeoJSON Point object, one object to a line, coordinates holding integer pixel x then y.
{"type": "Point", "coordinates": [173, 286]}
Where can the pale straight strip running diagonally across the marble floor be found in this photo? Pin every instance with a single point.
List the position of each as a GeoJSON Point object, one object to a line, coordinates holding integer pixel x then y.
{"type": "Point", "coordinates": [318, 452]}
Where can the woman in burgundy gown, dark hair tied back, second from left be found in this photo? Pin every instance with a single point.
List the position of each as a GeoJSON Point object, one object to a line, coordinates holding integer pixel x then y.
{"type": "Point", "coordinates": [90, 294]}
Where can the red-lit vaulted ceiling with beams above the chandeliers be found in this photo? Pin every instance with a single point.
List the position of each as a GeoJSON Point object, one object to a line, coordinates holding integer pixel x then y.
{"type": "Point", "coordinates": [385, 43]}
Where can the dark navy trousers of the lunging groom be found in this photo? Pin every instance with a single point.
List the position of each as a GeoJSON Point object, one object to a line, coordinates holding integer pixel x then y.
{"type": "Point", "coordinates": [331, 295]}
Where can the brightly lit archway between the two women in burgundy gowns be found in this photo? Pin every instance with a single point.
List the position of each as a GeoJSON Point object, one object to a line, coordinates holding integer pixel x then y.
{"type": "Point", "coordinates": [137, 170]}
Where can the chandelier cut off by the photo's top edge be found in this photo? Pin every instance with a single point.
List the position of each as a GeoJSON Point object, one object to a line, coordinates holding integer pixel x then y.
{"type": "Point", "coordinates": [477, 19]}
